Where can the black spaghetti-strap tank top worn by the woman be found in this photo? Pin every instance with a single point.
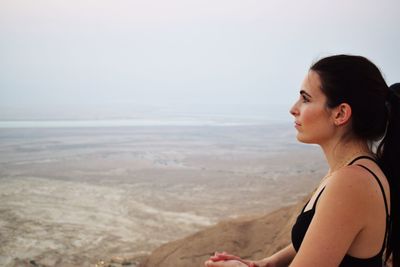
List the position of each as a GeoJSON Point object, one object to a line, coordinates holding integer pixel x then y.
{"type": "Point", "coordinates": [304, 219]}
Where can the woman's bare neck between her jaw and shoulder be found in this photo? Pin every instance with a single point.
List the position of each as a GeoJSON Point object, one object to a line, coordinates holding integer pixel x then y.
{"type": "Point", "coordinates": [340, 154]}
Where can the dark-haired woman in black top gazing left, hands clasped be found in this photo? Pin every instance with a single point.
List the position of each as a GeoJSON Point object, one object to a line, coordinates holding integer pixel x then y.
{"type": "Point", "coordinates": [352, 219]}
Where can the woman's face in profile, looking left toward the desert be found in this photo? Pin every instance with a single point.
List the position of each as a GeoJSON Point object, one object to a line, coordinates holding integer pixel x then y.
{"type": "Point", "coordinates": [312, 118]}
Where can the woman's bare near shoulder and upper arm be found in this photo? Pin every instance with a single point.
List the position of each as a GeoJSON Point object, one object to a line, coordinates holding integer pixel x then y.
{"type": "Point", "coordinates": [341, 214]}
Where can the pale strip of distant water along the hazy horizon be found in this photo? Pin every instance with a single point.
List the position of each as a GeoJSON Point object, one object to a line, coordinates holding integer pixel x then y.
{"type": "Point", "coordinates": [140, 115]}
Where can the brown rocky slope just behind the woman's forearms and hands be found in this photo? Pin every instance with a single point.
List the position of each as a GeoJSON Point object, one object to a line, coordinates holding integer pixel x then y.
{"type": "Point", "coordinates": [251, 238]}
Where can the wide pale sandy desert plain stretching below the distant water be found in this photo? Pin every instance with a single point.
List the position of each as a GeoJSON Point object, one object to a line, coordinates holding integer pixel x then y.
{"type": "Point", "coordinates": [71, 197]}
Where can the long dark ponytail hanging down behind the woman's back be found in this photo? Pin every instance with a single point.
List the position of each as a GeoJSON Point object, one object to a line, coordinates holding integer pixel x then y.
{"type": "Point", "coordinates": [388, 156]}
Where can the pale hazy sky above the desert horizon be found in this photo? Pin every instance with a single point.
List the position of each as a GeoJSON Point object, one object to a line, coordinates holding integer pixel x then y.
{"type": "Point", "coordinates": [182, 52]}
